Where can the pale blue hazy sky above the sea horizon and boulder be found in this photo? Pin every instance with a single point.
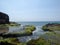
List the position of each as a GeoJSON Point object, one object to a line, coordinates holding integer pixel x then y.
{"type": "Point", "coordinates": [31, 10]}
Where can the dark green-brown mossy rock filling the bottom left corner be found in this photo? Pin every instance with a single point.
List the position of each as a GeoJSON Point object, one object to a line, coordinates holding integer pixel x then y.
{"type": "Point", "coordinates": [10, 41]}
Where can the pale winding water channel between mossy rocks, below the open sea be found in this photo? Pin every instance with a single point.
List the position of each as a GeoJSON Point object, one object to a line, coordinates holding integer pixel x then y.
{"type": "Point", "coordinates": [36, 34]}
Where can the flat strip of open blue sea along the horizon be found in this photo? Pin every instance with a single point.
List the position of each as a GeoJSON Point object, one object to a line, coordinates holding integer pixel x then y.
{"type": "Point", "coordinates": [38, 23]}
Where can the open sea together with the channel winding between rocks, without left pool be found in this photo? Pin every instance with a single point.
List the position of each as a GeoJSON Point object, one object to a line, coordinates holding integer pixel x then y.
{"type": "Point", "coordinates": [37, 33]}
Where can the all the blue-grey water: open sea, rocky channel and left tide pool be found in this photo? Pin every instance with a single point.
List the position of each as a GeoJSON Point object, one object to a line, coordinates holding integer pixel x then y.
{"type": "Point", "coordinates": [35, 34]}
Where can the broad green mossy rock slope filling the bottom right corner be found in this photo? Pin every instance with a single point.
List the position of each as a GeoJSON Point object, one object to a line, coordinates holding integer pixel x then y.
{"type": "Point", "coordinates": [50, 38]}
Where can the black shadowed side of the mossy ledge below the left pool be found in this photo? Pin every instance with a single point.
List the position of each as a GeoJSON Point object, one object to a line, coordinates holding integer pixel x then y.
{"type": "Point", "coordinates": [14, 35]}
